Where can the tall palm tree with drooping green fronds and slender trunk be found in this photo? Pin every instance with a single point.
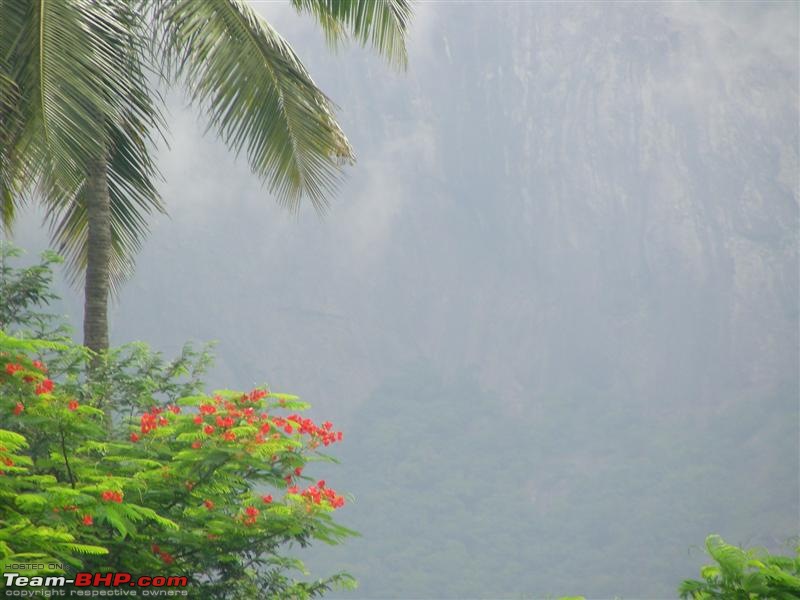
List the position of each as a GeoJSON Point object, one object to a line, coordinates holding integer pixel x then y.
{"type": "Point", "coordinates": [79, 115]}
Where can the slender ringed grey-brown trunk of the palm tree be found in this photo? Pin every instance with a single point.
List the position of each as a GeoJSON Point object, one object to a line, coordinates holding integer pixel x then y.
{"type": "Point", "coordinates": [98, 257]}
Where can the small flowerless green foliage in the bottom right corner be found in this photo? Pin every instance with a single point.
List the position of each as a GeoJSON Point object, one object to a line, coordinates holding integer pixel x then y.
{"type": "Point", "coordinates": [745, 574]}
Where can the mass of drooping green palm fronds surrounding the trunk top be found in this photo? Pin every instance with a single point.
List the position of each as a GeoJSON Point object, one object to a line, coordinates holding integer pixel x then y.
{"type": "Point", "coordinates": [82, 93]}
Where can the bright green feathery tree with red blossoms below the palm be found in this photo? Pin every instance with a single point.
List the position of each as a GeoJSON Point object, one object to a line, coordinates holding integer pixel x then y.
{"type": "Point", "coordinates": [210, 487]}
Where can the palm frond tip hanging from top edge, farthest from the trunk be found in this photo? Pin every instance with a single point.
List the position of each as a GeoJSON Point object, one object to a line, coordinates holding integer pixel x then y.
{"type": "Point", "coordinates": [382, 23]}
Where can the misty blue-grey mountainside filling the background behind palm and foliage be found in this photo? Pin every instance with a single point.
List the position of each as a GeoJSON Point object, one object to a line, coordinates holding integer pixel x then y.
{"type": "Point", "coordinates": [554, 305]}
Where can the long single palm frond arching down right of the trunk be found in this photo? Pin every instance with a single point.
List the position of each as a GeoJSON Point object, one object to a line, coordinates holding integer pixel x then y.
{"type": "Point", "coordinates": [257, 94]}
